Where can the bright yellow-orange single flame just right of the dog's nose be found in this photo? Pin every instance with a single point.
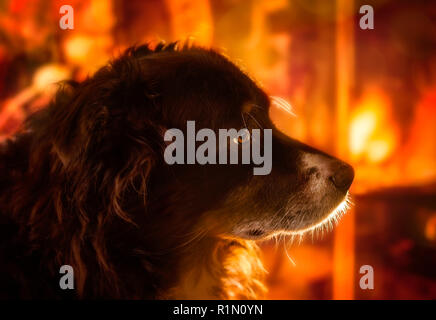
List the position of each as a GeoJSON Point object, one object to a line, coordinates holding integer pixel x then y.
{"type": "Point", "coordinates": [373, 142]}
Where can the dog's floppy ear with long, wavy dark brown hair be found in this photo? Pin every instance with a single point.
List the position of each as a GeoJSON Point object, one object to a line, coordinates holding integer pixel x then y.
{"type": "Point", "coordinates": [99, 141]}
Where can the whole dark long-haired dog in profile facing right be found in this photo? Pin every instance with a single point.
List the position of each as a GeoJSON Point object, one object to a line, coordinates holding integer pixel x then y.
{"type": "Point", "coordinates": [85, 184]}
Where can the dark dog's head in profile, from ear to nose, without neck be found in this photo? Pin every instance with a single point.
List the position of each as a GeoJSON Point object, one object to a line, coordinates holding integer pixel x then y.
{"type": "Point", "coordinates": [116, 128]}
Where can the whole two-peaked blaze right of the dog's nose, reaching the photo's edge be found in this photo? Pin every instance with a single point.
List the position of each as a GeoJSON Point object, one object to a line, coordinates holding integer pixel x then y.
{"type": "Point", "coordinates": [379, 157]}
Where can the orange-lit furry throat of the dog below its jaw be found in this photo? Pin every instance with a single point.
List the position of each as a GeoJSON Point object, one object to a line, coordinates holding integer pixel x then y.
{"type": "Point", "coordinates": [220, 269]}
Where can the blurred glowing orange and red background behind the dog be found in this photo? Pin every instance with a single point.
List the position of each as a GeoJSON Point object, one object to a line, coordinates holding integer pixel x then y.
{"type": "Point", "coordinates": [367, 96]}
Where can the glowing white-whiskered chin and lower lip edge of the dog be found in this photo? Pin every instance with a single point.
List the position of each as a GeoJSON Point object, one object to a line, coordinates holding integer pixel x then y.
{"type": "Point", "coordinates": [326, 223]}
